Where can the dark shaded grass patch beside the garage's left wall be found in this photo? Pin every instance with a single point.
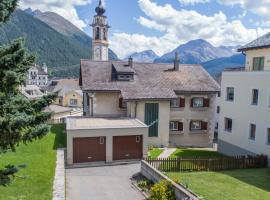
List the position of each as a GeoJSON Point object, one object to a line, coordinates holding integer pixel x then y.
{"type": "Point", "coordinates": [60, 136]}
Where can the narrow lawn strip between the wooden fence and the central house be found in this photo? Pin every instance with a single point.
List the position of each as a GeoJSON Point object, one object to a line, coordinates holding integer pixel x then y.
{"type": "Point", "coordinates": [191, 152]}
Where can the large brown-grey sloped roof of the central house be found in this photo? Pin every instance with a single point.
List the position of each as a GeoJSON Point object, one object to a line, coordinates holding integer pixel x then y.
{"type": "Point", "coordinates": [151, 81]}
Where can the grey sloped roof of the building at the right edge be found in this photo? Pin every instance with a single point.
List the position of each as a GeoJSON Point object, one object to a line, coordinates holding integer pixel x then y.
{"type": "Point", "coordinates": [261, 42]}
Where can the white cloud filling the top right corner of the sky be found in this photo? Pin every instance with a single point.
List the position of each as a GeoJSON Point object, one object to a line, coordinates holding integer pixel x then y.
{"type": "Point", "coordinates": [260, 7]}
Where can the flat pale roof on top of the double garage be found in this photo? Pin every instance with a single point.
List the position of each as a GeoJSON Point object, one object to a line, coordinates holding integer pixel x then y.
{"type": "Point", "coordinates": [103, 123]}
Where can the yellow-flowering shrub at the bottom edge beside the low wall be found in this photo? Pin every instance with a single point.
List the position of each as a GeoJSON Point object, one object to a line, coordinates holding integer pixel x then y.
{"type": "Point", "coordinates": [162, 191]}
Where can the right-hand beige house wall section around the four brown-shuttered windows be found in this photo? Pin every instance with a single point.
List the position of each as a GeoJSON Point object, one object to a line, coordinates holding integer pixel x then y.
{"type": "Point", "coordinates": [186, 137]}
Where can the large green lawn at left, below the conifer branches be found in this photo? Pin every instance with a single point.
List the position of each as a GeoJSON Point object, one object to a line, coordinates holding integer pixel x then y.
{"type": "Point", "coordinates": [40, 157]}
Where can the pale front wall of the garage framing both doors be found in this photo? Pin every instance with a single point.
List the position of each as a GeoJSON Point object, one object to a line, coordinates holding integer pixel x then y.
{"type": "Point", "coordinates": [108, 133]}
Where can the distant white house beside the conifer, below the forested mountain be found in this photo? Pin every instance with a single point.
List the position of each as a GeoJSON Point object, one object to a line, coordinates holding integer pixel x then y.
{"type": "Point", "coordinates": [37, 75]}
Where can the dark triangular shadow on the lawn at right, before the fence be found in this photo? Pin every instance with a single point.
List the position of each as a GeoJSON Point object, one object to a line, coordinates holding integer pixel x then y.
{"type": "Point", "coordinates": [259, 177]}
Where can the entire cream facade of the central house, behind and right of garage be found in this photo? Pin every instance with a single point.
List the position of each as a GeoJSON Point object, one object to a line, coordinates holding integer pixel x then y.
{"type": "Point", "coordinates": [106, 104]}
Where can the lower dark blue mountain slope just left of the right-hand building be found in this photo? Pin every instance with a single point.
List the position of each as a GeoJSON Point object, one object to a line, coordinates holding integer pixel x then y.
{"type": "Point", "coordinates": [216, 66]}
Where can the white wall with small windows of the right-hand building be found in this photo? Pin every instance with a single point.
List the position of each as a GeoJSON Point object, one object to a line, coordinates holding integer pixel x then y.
{"type": "Point", "coordinates": [243, 113]}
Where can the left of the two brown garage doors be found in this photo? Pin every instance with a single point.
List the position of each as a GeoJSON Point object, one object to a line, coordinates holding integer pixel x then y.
{"type": "Point", "coordinates": [89, 149]}
